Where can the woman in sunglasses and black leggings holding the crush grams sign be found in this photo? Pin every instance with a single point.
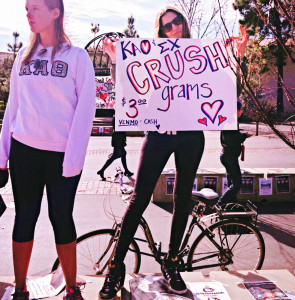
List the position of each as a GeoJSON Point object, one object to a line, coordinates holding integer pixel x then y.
{"type": "Point", "coordinates": [187, 147]}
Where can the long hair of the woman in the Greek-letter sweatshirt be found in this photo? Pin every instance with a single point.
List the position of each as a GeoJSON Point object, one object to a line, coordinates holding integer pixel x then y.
{"type": "Point", "coordinates": [59, 32]}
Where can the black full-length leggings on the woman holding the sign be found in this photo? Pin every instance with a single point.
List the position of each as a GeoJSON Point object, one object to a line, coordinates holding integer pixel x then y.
{"type": "Point", "coordinates": [188, 148]}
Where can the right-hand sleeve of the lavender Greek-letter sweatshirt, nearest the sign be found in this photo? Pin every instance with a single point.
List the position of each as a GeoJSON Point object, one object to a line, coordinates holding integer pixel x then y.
{"type": "Point", "coordinates": [83, 118]}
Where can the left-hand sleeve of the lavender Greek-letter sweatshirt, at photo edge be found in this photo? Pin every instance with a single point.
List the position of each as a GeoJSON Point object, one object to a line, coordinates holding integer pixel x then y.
{"type": "Point", "coordinates": [10, 113]}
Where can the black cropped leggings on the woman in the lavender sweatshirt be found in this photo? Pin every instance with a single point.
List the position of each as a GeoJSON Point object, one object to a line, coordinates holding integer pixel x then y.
{"type": "Point", "coordinates": [31, 170]}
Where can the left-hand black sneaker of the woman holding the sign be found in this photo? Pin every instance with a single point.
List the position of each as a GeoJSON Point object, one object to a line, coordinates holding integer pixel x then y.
{"type": "Point", "coordinates": [114, 281]}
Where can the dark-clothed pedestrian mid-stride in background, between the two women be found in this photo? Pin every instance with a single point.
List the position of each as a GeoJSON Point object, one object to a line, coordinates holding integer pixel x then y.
{"type": "Point", "coordinates": [119, 144]}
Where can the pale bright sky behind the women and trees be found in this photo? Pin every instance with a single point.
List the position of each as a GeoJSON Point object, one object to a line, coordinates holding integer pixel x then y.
{"type": "Point", "coordinates": [112, 15]}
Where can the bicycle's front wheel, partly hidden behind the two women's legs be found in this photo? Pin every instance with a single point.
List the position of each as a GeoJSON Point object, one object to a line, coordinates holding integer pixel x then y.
{"type": "Point", "coordinates": [94, 250]}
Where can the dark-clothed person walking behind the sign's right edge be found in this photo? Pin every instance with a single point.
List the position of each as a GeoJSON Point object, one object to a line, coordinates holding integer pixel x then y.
{"type": "Point", "coordinates": [231, 141]}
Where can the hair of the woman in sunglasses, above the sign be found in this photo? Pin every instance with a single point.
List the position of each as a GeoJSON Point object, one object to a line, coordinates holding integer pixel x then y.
{"type": "Point", "coordinates": [158, 24]}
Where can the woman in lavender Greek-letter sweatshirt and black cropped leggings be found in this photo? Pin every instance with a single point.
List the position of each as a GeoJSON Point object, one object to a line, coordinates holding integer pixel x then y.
{"type": "Point", "coordinates": [45, 133]}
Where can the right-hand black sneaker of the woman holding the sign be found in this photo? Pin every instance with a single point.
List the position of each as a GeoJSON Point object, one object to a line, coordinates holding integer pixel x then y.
{"type": "Point", "coordinates": [173, 277]}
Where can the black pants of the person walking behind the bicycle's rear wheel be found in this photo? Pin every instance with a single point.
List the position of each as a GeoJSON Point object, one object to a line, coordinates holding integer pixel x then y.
{"type": "Point", "coordinates": [234, 177]}
